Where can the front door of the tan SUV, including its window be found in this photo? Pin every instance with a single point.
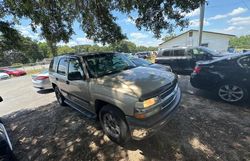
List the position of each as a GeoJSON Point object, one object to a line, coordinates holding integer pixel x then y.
{"type": "Point", "coordinates": [78, 86]}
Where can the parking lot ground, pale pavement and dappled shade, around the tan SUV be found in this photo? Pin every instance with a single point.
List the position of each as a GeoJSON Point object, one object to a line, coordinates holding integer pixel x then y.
{"type": "Point", "coordinates": [204, 128]}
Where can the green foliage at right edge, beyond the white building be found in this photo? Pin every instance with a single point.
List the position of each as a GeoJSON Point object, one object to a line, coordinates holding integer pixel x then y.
{"type": "Point", "coordinates": [242, 42]}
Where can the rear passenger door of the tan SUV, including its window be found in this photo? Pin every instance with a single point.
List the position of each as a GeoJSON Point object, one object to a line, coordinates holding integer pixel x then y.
{"type": "Point", "coordinates": [61, 76]}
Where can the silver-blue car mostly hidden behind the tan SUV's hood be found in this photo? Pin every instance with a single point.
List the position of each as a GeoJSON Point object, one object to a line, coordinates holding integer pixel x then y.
{"type": "Point", "coordinates": [144, 63]}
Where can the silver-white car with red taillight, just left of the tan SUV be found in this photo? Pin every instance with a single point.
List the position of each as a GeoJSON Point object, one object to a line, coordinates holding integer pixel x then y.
{"type": "Point", "coordinates": [41, 80]}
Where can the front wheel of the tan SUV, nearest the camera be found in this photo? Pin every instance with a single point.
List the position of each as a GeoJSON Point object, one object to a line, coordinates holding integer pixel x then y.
{"type": "Point", "coordinates": [114, 124]}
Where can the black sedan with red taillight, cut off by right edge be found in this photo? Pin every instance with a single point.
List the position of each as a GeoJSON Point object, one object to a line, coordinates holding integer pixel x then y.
{"type": "Point", "coordinates": [228, 76]}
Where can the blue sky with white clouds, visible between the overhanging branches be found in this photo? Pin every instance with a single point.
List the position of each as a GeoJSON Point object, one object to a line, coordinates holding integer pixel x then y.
{"type": "Point", "coordinates": [225, 16]}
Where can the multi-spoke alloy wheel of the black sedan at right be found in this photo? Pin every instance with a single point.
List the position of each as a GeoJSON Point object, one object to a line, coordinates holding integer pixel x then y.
{"type": "Point", "coordinates": [232, 92]}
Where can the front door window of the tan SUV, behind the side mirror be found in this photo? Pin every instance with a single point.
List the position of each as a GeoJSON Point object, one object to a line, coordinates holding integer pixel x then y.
{"type": "Point", "coordinates": [75, 70]}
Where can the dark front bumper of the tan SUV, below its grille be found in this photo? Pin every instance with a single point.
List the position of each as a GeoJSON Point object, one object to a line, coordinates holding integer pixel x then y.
{"type": "Point", "coordinates": [143, 128]}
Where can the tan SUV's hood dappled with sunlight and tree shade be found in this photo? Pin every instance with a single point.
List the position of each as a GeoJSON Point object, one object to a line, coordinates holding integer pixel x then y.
{"type": "Point", "coordinates": [140, 80]}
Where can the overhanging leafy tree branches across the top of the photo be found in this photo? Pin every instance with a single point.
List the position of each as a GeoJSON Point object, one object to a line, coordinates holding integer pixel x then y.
{"type": "Point", "coordinates": [56, 17]}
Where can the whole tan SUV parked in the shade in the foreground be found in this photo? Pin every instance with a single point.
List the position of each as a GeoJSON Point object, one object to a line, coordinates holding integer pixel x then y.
{"type": "Point", "coordinates": [128, 101]}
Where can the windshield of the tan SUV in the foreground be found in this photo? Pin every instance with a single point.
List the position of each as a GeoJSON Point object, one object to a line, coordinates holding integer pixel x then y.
{"type": "Point", "coordinates": [109, 63]}
